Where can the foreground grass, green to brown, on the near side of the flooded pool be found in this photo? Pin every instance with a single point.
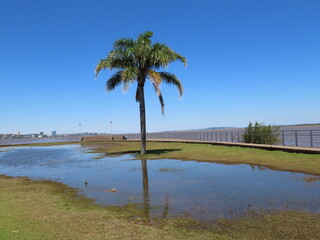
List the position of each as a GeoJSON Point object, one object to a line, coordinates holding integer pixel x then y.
{"type": "Point", "coordinates": [48, 210]}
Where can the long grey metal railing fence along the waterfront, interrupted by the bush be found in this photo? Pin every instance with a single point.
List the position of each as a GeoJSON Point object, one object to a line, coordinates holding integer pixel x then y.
{"type": "Point", "coordinates": [301, 138]}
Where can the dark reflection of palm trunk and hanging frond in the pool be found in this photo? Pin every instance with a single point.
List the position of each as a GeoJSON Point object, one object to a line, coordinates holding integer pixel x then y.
{"type": "Point", "coordinates": [146, 197]}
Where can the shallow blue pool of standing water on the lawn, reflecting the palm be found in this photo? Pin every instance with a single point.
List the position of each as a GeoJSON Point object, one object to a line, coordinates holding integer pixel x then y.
{"type": "Point", "coordinates": [205, 191]}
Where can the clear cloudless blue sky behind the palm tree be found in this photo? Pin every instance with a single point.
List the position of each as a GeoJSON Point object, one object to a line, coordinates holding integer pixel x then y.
{"type": "Point", "coordinates": [248, 60]}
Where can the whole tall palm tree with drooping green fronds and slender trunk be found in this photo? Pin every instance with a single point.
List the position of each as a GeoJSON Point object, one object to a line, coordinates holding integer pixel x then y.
{"type": "Point", "coordinates": [138, 60]}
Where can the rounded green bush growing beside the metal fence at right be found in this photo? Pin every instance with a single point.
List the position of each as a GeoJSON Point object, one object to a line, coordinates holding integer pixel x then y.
{"type": "Point", "coordinates": [261, 134]}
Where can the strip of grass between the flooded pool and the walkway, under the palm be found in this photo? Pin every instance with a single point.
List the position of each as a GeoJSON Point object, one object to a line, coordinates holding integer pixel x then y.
{"type": "Point", "coordinates": [298, 162]}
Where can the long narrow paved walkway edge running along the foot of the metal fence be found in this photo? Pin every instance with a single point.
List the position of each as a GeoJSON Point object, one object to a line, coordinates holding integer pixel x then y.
{"type": "Point", "coordinates": [249, 145]}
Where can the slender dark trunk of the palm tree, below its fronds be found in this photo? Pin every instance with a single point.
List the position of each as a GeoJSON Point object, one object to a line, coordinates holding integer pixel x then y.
{"type": "Point", "coordinates": [142, 119]}
